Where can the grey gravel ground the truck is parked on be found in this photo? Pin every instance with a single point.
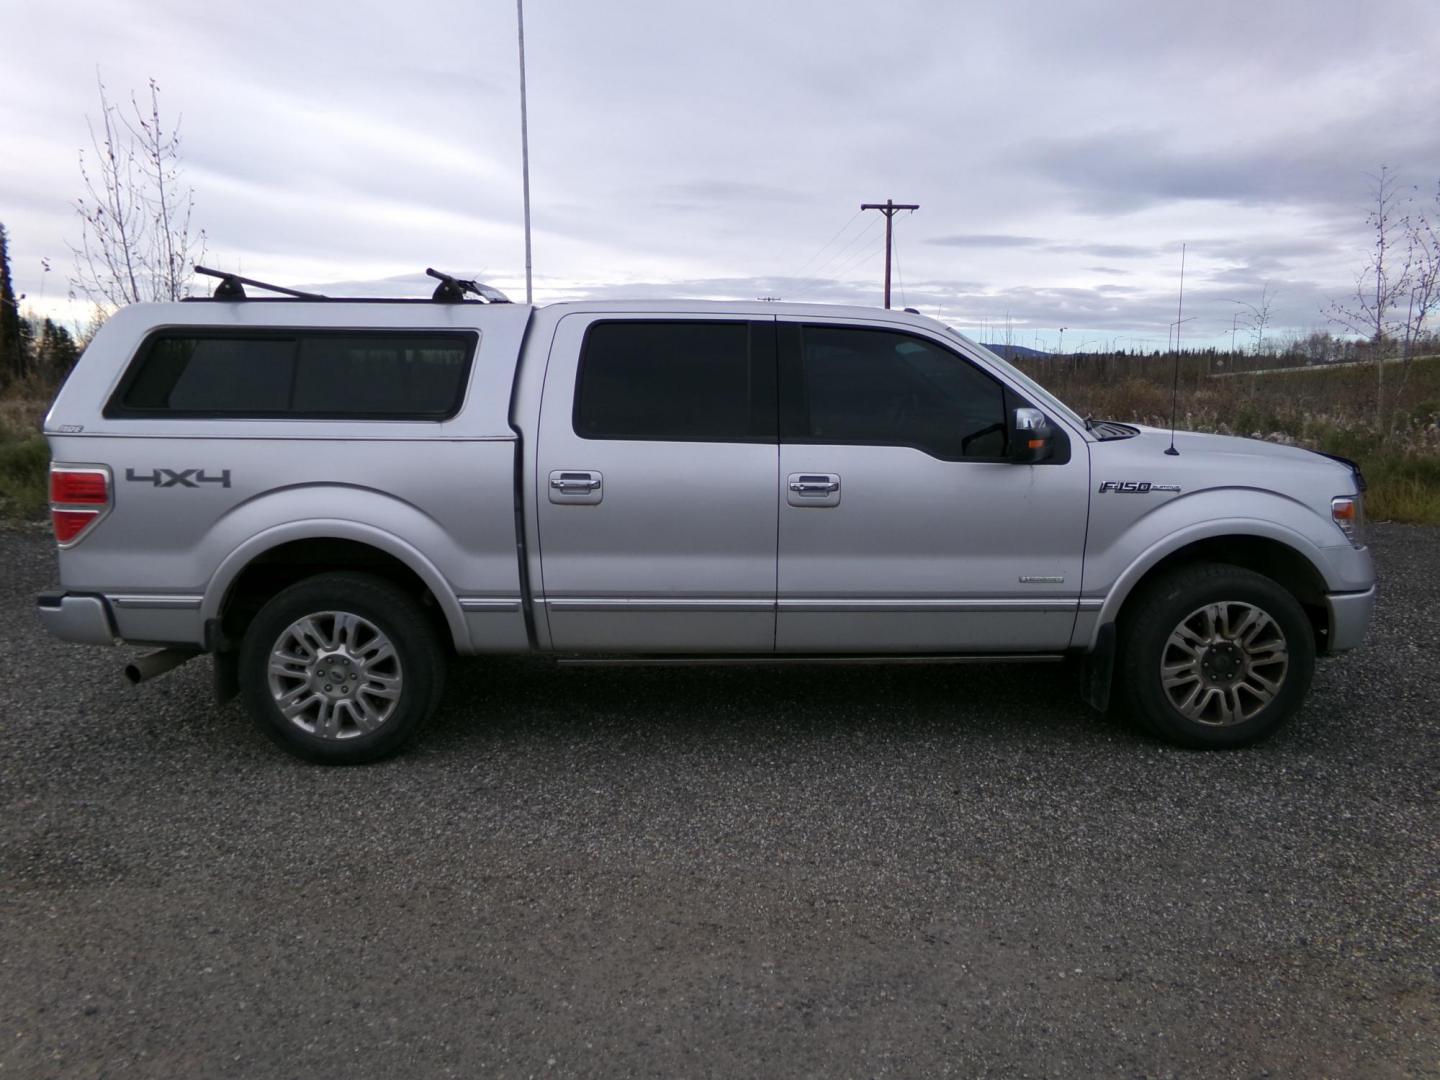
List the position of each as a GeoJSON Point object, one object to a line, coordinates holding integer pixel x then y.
{"type": "Point", "coordinates": [954, 872]}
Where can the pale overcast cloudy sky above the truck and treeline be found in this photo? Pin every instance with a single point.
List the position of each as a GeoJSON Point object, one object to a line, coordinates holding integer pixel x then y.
{"type": "Point", "coordinates": [1061, 150]}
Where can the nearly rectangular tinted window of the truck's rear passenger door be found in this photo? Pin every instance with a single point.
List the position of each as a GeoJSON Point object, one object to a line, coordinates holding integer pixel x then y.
{"type": "Point", "coordinates": [678, 382]}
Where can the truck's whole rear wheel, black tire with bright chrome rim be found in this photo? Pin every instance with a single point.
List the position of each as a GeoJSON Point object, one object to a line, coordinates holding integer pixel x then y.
{"type": "Point", "coordinates": [392, 690]}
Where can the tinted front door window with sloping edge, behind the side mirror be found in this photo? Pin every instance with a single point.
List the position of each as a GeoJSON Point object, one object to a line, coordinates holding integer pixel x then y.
{"type": "Point", "coordinates": [883, 388]}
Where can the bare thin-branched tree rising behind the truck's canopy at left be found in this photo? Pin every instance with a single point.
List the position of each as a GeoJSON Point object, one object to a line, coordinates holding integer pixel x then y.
{"type": "Point", "coordinates": [138, 238]}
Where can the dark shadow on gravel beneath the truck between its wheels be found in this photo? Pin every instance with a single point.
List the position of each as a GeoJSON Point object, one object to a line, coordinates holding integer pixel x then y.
{"type": "Point", "coordinates": [526, 699]}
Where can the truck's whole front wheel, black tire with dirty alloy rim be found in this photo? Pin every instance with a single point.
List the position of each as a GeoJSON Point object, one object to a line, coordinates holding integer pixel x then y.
{"type": "Point", "coordinates": [1222, 683]}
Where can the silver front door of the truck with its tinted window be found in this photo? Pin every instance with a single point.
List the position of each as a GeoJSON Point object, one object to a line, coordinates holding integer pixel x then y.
{"type": "Point", "coordinates": [904, 525]}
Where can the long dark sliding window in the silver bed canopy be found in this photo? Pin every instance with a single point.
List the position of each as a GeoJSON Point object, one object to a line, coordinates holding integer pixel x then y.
{"type": "Point", "coordinates": [335, 375]}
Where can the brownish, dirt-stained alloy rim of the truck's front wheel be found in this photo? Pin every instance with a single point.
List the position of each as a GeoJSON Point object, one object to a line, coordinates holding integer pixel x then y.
{"type": "Point", "coordinates": [1225, 663]}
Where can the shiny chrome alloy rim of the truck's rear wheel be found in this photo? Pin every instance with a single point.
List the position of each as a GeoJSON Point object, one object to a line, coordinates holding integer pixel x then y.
{"type": "Point", "coordinates": [335, 676]}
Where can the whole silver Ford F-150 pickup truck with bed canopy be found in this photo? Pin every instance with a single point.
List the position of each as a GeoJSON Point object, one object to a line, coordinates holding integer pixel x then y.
{"type": "Point", "coordinates": [332, 498]}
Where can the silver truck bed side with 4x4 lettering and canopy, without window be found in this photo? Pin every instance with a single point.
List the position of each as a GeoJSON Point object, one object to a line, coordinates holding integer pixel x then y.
{"type": "Point", "coordinates": [437, 495]}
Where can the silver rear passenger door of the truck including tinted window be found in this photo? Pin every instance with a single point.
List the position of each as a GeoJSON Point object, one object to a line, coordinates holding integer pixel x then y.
{"type": "Point", "coordinates": [656, 490]}
